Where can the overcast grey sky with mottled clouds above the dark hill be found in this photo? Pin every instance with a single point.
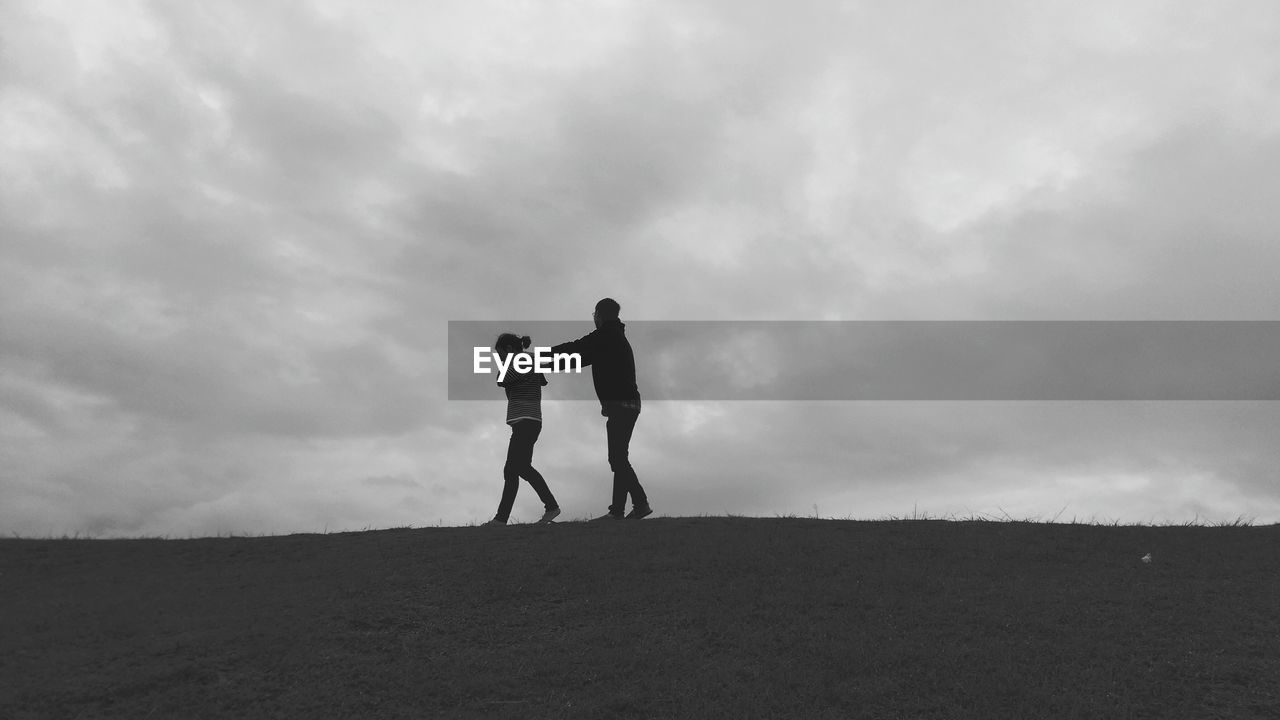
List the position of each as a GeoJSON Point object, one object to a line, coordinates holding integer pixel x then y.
{"type": "Point", "coordinates": [232, 236]}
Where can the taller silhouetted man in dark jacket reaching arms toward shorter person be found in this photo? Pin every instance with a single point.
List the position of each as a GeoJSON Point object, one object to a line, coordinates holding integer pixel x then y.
{"type": "Point", "coordinates": [614, 373]}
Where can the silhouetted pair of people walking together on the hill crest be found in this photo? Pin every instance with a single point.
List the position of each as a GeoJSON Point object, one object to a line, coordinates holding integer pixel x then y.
{"type": "Point", "coordinates": [614, 373]}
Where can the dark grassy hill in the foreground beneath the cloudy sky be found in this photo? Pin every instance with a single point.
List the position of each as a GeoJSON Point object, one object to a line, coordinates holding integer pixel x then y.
{"type": "Point", "coordinates": [662, 618]}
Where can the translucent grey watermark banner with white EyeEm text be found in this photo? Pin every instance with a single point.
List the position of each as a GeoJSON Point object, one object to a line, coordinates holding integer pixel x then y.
{"type": "Point", "coordinates": [945, 361]}
